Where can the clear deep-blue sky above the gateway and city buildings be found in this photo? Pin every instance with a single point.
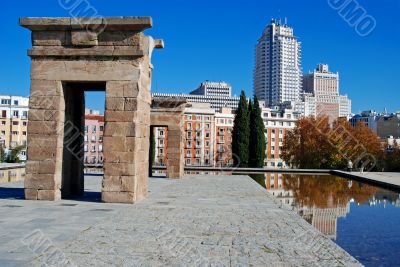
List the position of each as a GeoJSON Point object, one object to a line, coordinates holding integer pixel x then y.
{"type": "Point", "coordinates": [215, 39]}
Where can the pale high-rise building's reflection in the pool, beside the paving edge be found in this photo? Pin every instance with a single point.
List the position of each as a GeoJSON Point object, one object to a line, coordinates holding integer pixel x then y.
{"type": "Point", "coordinates": [325, 220]}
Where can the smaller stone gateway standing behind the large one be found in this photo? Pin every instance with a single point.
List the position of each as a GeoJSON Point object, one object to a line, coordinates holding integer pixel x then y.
{"type": "Point", "coordinates": [169, 113]}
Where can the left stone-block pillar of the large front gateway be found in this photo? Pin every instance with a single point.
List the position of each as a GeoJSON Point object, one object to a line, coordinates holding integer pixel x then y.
{"type": "Point", "coordinates": [45, 140]}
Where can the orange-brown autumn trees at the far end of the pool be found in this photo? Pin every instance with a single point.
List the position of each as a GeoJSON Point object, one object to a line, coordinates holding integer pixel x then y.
{"type": "Point", "coordinates": [314, 144]}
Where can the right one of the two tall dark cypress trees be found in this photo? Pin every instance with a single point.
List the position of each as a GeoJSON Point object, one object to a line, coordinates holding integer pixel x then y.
{"type": "Point", "coordinates": [257, 144]}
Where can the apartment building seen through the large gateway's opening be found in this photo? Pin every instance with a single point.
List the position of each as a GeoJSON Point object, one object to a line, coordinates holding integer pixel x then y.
{"type": "Point", "coordinates": [93, 147]}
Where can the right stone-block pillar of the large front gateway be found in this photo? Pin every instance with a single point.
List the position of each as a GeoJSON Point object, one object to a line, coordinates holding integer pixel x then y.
{"type": "Point", "coordinates": [126, 142]}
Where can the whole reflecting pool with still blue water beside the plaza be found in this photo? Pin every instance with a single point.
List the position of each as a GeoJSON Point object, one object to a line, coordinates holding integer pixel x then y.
{"type": "Point", "coordinates": [362, 219]}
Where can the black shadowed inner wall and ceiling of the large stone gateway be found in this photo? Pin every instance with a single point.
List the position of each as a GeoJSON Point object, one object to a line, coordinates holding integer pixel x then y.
{"type": "Point", "coordinates": [74, 147]}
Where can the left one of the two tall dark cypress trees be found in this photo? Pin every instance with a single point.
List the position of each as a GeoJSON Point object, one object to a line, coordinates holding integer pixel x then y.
{"type": "Point", "coordinates": [241, 133]}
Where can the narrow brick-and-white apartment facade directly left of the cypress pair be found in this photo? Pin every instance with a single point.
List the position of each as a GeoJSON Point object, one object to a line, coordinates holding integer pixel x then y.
{"type": "Point", "coordinates": [223, 142]}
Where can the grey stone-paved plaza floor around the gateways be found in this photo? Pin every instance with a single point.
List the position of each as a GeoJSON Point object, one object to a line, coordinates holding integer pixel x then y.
{"type": "Point", "coordinates": [197, 221]}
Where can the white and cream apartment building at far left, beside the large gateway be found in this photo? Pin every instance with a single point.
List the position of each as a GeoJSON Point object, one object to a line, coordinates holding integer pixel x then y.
{"type": "Point", "coordinates": [13, 122]}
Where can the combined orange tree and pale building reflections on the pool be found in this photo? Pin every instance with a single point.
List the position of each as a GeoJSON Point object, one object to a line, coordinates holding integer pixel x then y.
{"type": "Point", "coordinates": [322, 199]}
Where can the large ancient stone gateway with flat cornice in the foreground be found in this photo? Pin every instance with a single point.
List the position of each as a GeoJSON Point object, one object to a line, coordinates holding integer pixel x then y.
{"type": "Point", "coordinates": [71, 56]}
